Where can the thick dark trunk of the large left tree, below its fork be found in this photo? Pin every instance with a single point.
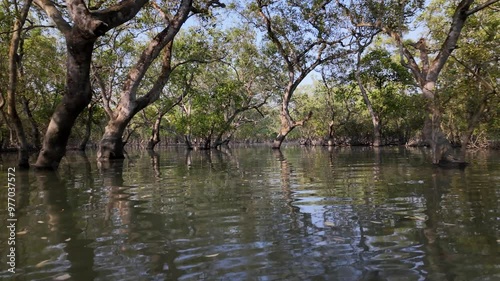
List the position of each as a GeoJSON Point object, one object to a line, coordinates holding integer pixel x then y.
{"type": "Point", "coordinates": [76, 97]}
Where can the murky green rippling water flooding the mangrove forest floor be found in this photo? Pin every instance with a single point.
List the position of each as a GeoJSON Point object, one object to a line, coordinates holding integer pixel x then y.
{"type": "Point", "coordinates": [257, 214]}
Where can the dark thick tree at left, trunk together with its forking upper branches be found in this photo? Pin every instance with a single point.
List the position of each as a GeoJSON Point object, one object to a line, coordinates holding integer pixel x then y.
{"type": "Point", "coordinates": [80, 39]}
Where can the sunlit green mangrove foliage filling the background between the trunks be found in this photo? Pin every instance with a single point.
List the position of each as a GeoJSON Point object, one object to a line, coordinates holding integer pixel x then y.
{"type": "Point", "coordinates": [231, 77]}
